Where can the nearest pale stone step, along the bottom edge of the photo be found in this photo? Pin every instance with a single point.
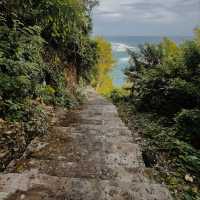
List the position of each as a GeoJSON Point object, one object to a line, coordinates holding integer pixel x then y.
{"type": "Point", "coordinates": [34, 186]}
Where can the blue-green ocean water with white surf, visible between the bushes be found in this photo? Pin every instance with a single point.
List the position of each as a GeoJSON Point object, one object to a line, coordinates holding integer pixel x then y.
{"type": "Point", "coordinates": [119, 48]}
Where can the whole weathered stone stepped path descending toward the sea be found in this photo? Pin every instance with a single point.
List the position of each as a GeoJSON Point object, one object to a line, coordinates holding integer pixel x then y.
{"type": "Point", "coordinates": [87, 155]}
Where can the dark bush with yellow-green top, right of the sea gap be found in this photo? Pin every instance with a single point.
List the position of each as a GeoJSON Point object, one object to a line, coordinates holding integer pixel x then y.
{"type": "Point", "coordinates": [166, 77]}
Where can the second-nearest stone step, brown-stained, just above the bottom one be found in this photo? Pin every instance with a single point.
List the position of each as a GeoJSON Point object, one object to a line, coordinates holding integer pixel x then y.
{"type": "Point", "coordinates": [81, 169]}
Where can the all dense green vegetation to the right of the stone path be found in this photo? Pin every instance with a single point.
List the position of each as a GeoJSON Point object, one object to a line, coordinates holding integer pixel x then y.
{"type": "Point", "coordinates": [164, 102]}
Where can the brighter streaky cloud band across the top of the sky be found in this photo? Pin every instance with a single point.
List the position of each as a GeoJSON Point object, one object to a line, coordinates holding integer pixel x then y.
{"type": "Point", "coordinates": [155, 10]}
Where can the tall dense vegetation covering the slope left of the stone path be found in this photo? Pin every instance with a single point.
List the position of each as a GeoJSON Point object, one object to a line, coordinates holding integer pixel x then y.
{"type": "Point", "coordinates": [46, 53]}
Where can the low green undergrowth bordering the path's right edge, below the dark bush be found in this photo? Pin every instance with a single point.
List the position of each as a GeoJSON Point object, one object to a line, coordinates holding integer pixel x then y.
{"type": "Point", "coordinates": [175, 157]}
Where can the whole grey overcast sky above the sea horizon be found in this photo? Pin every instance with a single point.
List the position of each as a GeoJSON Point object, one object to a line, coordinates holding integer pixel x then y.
{"type": "Point", "coordinates": [146, 17]}
